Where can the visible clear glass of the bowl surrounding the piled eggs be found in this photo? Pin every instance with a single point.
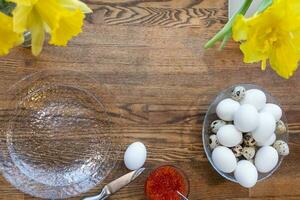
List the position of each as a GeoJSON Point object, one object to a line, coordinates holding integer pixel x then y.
{"type": "Point", "coordinates": [211, 116]}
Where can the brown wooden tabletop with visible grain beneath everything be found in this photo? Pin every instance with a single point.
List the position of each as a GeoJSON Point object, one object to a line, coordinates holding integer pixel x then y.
{"type": "Point", "coordinates": [150, 54]}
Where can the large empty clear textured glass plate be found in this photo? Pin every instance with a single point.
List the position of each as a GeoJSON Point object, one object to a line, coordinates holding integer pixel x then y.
{"type": "Point", "coordinates": [57, 141]}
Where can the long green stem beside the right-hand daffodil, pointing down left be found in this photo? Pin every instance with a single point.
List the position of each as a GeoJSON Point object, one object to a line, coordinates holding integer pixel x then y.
{"type": "Point", "coordinates": [226, 30]}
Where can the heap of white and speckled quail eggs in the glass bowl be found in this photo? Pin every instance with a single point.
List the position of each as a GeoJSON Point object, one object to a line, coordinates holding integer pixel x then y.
{"type": "Point", "coordinates": [244, 138]}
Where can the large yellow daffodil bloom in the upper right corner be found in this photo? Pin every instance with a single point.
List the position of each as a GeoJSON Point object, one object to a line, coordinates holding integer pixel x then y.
{"type": "Point", "coordinates": [272, 35]}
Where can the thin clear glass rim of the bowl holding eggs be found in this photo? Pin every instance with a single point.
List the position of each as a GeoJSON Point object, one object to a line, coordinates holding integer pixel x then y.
{"type": "Point", "coordinates": [206, 148]}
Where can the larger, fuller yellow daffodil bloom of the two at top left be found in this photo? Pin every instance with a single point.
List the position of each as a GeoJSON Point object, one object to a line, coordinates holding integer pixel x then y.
{"type": "Point", "coordinates": [62, 19]}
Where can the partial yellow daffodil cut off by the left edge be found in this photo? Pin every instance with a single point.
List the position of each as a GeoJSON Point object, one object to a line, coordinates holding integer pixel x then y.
{"type": "Point", "coordinates": [8, 38]}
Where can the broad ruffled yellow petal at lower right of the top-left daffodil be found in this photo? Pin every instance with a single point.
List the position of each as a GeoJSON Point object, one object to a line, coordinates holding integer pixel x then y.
{"type": "Point", "coordinates": [69, 26]}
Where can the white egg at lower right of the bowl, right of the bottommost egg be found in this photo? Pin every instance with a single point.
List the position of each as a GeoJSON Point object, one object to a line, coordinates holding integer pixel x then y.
{"type": "Point", "coordinates": [266, 159]}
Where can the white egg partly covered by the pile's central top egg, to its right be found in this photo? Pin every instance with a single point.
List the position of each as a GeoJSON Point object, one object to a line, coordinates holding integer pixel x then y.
{"type": "Point", "coordinates": [266, 127]}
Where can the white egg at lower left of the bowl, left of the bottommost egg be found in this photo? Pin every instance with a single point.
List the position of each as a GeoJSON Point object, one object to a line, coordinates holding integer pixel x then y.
{"type": "Point", "coordinates": [224, 159]}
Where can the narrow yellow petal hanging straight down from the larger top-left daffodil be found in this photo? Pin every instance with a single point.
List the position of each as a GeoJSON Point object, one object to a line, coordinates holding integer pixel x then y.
{"type": "Point", "coordinates": [37, 33]}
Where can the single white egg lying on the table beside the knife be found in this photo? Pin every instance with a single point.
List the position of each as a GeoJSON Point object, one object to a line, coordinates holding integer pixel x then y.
{"type": "Point", "coordinates": [135, 156]}
